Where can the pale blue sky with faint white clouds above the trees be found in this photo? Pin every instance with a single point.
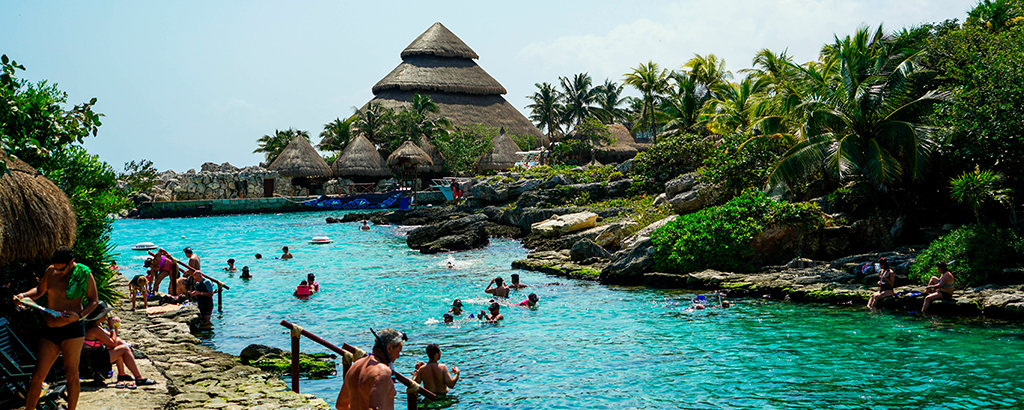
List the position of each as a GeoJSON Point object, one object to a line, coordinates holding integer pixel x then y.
{"type": "Point", "coordinates": [183, 84]}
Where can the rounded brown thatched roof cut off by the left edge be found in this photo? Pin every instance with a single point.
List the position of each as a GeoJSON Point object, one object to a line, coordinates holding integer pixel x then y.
{"type": "Point", "coordinates": [35, 216]}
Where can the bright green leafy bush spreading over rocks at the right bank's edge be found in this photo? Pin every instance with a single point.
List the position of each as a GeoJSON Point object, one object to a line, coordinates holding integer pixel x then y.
{"type": "Point", "coordinates": [719, 238]}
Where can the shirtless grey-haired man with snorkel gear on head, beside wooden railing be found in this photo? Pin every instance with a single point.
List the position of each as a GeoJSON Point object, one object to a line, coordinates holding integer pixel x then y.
{"type": "Point", "coordinates": [368, 384]}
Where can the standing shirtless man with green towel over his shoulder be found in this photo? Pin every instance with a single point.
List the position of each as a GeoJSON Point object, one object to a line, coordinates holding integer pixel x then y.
{"type": "Point", "coordinates": [67, 286]}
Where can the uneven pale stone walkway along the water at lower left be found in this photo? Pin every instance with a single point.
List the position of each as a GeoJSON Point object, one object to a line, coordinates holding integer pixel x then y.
{"type": "Point", "coordinates": [189, 376]}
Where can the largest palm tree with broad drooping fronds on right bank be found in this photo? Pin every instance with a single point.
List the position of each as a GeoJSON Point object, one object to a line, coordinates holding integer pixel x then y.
{"type": "Point", "coordinates": [861, 113]}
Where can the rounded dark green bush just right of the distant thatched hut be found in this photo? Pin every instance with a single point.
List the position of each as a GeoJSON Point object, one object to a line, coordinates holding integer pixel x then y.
{"type": "Point", "coordinates": [670, 157]}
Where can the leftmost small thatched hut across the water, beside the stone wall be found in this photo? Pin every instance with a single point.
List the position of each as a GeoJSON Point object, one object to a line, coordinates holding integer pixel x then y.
{"type": "Point", "coordinates": [304, 172]}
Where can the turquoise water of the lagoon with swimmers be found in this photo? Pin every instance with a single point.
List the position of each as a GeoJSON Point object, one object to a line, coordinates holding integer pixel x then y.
{"type": "Point", "coordinates": [587, 346]}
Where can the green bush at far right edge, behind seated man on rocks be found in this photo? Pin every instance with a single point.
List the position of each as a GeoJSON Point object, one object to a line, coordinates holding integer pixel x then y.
{"type": "Point", "coordinates": [978, 250]}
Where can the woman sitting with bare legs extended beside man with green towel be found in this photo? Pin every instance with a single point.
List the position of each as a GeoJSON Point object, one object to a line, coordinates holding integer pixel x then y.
{"type": "Point", "coordinates": [119, 352]}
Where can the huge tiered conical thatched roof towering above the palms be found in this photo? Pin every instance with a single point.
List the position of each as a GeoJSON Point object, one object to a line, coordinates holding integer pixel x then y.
{"type": "Point", "coordinates": [439, 65]}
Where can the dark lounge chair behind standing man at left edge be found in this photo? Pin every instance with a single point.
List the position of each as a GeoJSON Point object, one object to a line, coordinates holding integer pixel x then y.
{"type": "Point", "coordinates": [17, 365]}
